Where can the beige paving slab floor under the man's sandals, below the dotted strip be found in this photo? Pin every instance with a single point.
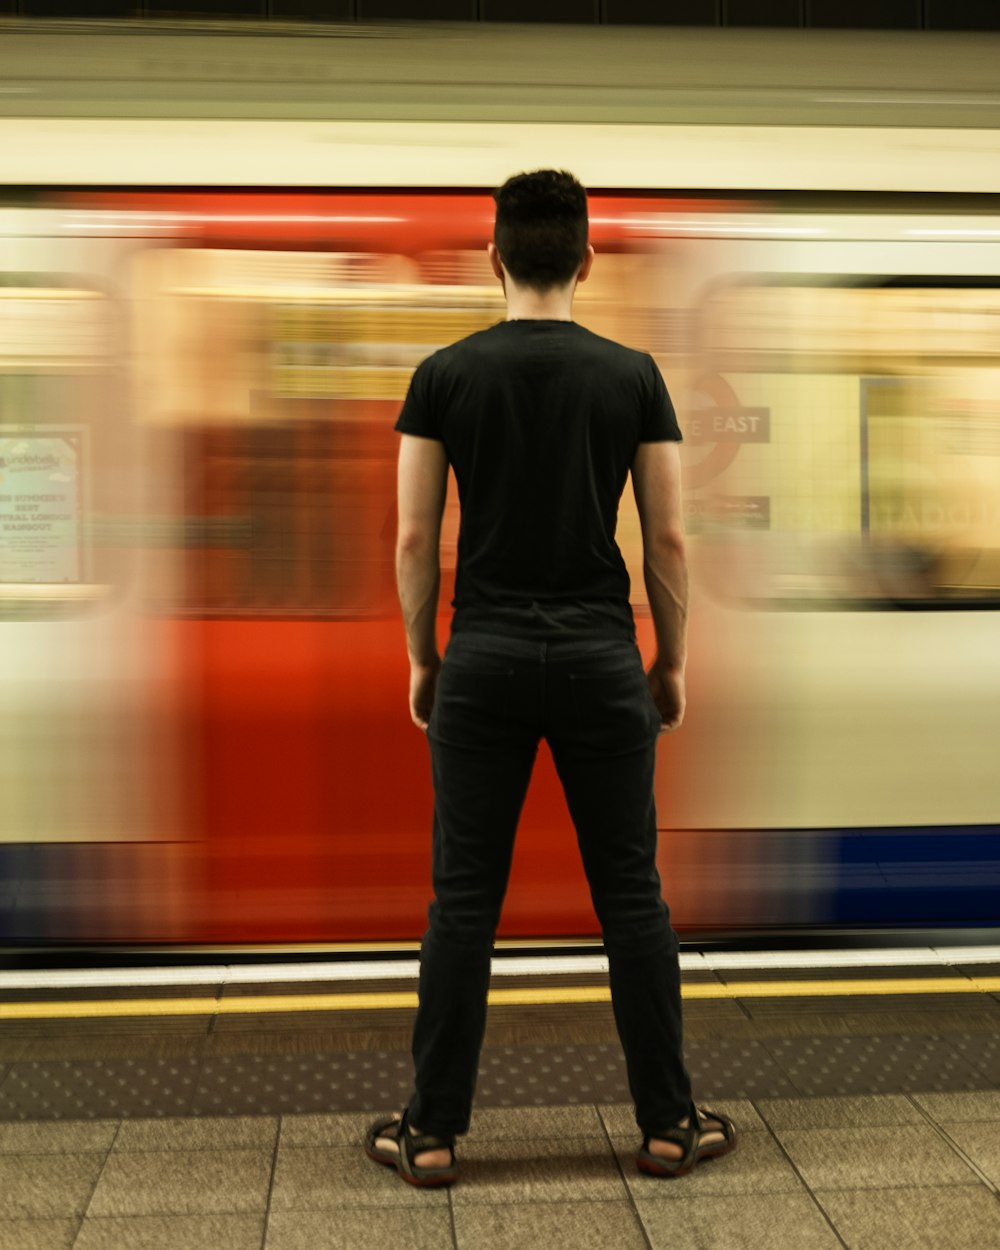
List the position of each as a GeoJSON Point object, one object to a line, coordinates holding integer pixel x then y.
{"type": "Point", "coordinates": [891, 1172]}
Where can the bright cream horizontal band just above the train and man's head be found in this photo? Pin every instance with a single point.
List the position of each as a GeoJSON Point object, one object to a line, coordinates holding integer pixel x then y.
{"type": "Point", "coordinates": [99, 152]}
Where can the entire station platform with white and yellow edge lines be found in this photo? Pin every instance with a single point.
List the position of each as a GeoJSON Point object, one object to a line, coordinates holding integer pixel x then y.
{"type": "Point", "coordinates": [223, 1107]}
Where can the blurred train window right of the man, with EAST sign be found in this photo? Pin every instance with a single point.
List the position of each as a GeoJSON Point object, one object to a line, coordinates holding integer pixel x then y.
{"type": "Point", "coordinates": [847, 444]}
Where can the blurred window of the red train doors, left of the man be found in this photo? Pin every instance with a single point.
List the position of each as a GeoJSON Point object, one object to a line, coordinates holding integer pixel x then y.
{"type": "Point", "coordinates": [272, 382]}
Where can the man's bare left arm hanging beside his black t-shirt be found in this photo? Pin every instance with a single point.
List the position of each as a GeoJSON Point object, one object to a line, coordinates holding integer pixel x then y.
{"type": "Point", "coordinates": [422, 489]}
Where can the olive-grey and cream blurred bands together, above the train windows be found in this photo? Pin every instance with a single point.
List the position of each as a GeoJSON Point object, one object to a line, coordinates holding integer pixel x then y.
{"type": "Point", "coordinates": [463, 106]}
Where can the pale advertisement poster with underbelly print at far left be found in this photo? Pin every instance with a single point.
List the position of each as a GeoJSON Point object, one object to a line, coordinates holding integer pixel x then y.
{"type": "Point", "coordinates": [41, 531]}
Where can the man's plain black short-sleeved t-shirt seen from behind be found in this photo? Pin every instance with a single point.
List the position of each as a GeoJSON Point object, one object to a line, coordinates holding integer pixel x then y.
{"type": "Point", "coordinates": [541, 422]}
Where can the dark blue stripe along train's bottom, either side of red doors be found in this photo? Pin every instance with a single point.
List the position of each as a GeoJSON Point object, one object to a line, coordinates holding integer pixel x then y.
{"type": "Point", "coordinates": [922, 877]}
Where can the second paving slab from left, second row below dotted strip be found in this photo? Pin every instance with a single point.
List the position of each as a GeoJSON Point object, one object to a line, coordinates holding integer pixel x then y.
{"type": "Point", "coordinates": [183, 1183]}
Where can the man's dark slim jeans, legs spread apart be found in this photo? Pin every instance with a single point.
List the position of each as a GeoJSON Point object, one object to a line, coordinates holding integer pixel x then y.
{"type": "Point", "coordinates": [497, 698]}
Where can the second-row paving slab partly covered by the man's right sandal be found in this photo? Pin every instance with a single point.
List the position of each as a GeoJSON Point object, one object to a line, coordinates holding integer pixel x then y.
{"type": "Point", "coordinates": [756, 1167]}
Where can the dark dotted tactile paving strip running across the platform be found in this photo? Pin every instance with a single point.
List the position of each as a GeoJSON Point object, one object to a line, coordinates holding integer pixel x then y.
{"type": "Point", "coordinates": [527, 1076]}
